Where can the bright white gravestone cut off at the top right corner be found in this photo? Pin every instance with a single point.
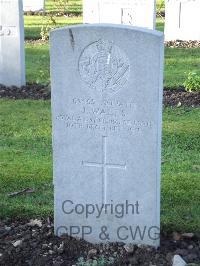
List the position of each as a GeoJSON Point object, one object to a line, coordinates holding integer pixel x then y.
{"type": "Point", "coordinates": [182, 20]}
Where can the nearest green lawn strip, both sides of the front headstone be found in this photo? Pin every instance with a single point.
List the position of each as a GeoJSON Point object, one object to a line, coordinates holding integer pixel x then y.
{"type": "Point", "coordinates": [26, 161]}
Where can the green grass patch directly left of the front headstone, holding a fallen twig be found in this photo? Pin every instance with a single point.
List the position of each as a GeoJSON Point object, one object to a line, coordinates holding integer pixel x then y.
{"type": "Point", "coordinates": [25, 152]}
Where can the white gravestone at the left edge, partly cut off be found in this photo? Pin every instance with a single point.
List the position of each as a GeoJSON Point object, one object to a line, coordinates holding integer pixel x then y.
{"type": "Point", "coordinates": [12, 58]}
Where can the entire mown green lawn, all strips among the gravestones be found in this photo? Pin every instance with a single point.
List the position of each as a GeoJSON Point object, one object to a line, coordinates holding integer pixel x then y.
{"type": "Point", "coordinates": [25, 139]}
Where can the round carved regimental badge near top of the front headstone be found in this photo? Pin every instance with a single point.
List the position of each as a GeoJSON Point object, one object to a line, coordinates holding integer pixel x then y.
{"type": "Point", "coordinates": [104, 67]}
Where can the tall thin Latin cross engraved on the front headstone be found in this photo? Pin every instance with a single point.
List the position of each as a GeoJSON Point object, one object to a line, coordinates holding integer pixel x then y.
{"type": "Point", "coordinates": [104, 166]}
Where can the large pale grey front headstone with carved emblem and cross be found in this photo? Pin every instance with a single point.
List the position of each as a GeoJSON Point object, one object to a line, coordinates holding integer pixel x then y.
{"type": "Point", "coordinates": [106, 107]}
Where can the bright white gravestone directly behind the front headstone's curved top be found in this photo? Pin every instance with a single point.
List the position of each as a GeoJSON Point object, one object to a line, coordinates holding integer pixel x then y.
{"type": "Point", "coordinates": [140, 13]}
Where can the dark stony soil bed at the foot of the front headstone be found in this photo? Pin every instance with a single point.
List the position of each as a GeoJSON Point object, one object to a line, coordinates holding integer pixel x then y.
{"type": "Point", "coordinates": [25, 243]}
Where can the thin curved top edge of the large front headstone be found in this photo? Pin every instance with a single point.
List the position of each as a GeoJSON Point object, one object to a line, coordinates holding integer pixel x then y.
{"type": "Point", "coordinates": [107, 26]}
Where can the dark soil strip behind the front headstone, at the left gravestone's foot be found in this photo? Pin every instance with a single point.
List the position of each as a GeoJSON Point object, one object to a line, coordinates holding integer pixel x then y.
{"type": "Point", "coordinates": [176, 97]}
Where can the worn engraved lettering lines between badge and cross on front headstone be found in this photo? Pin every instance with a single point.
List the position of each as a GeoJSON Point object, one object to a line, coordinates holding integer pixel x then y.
{"type": "Point", "coordinates": [109, 116]}
